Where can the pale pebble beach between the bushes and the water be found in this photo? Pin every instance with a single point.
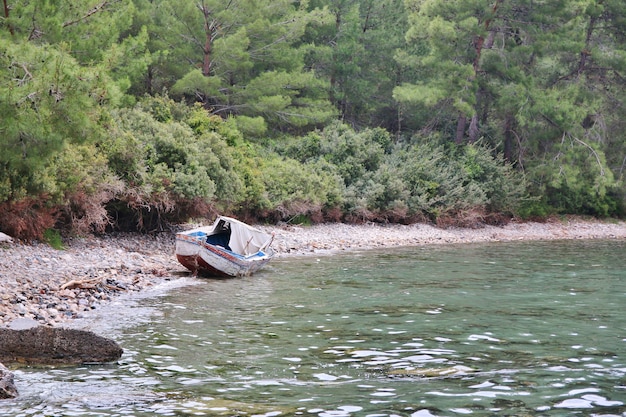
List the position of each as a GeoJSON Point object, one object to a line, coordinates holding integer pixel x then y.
{"type": "Point", "coordinates": [52, 286]}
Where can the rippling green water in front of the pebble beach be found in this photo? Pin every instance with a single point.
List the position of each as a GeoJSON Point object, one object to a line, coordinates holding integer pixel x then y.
{"type": "Point", "coordinates": [534, 329]}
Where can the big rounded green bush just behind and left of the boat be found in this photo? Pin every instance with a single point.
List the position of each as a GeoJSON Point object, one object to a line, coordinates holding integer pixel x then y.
{"type": "Point", "coordinates": [167, 168]}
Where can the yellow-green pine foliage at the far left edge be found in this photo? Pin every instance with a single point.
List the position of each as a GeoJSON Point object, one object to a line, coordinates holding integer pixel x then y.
{"type": "Point", "coordinates": [47, 101]}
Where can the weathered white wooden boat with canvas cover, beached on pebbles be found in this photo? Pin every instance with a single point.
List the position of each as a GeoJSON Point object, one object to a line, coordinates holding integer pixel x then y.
{"type": "Point", "coordinates": [228, 248]}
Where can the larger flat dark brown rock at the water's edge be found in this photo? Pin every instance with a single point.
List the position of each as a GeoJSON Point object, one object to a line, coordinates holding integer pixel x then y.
{"type": "Point", "coordinates": [53, 346]}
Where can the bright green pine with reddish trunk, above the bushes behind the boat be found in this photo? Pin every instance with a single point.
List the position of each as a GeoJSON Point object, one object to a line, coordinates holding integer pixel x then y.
{"type": "Point", "coordinates": [241, 59]}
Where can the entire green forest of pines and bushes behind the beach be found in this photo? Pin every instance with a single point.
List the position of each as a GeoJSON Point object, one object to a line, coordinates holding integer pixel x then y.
{"type": "Point", "coordinates": [137, 114]}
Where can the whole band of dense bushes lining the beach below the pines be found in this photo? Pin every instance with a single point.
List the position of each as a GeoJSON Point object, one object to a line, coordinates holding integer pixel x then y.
{"type": "Point", "coordinates": [161, 162]}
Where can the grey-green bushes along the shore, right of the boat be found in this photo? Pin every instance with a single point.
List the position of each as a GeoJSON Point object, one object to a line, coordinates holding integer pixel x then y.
{"type": "Point", "coordinates": [408, 182]}
